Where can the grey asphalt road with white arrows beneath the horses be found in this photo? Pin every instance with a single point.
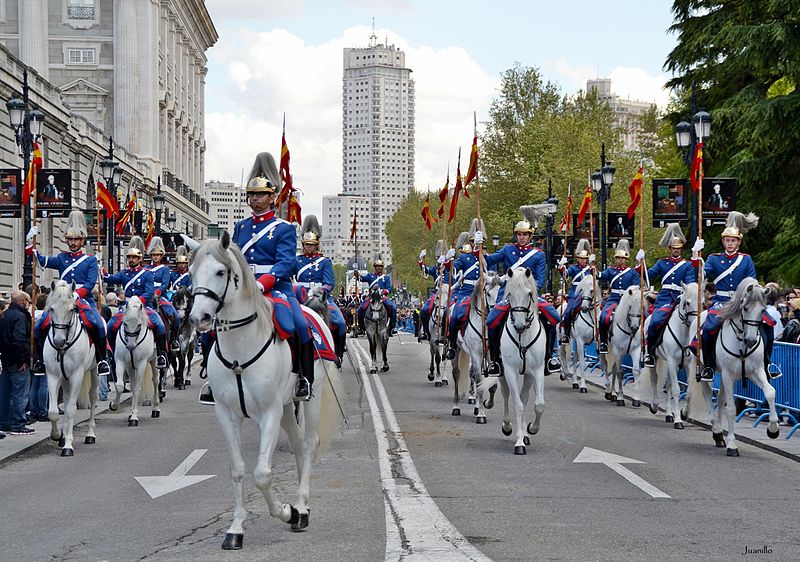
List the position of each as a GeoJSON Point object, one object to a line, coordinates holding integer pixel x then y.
{"type": "Point", "coordinates": [426, 485]}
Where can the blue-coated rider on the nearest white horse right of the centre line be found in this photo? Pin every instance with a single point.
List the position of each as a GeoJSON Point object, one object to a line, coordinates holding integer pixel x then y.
{"type": "Point", "coordinates": [521, 255]}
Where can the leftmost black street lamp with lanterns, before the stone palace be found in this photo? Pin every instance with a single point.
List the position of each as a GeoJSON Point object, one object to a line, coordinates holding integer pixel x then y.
{"type": "Point", "coordinates": [27, 125]}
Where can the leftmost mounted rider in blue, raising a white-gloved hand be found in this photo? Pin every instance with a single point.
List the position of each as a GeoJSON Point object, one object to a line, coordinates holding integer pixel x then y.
{"type": "Point", "coordinates": [74, 266]}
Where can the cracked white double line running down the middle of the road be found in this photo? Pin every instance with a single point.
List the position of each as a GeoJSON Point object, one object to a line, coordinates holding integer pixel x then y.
{"type": "Point", "coordinates": [416, 529]}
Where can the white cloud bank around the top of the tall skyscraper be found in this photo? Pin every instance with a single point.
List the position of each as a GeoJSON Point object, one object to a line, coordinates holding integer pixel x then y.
{"type": "Point", "coordinates": [249, 89]}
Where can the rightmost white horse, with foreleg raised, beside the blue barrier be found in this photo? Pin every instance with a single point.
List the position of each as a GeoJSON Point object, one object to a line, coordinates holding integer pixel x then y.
{"type": "Point", "coordinates": [740, 354]}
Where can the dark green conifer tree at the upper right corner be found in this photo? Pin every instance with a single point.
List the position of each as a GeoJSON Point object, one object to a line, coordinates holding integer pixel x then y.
{"type": "Point", "coordinates": [743, 58]}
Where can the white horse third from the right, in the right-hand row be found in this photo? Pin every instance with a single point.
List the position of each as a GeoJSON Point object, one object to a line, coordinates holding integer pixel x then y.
{"type": "Point", "coordinates": [624, 339]}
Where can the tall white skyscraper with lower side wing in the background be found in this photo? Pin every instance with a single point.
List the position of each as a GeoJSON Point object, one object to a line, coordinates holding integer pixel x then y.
{"type": "Point", "coordinates": [377, 149]}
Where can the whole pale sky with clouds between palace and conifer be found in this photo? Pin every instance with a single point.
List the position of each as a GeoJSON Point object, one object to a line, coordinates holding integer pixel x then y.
{"type": "Point", "coordinates": [276, 56]}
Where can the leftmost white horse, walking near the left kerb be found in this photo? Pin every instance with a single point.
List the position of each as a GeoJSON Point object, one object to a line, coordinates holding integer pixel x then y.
{"type": "Point", "coordinates": [68, 358]}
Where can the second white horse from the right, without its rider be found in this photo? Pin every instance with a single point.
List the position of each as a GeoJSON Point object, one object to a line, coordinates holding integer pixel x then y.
{"type": "Point", "coordinates": [671, 356]}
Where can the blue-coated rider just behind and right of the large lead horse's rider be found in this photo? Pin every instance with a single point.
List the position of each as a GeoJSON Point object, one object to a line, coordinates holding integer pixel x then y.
{"type": "Point", "coordinates": [315, 273]}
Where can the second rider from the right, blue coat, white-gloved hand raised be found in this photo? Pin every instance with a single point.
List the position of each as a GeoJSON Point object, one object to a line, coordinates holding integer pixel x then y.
{"type": "Point", "coordinates": [673, 271]}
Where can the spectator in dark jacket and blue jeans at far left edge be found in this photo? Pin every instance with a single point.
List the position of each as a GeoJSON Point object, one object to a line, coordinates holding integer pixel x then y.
{"type": "Point", "coordinates": [15, 355]}
